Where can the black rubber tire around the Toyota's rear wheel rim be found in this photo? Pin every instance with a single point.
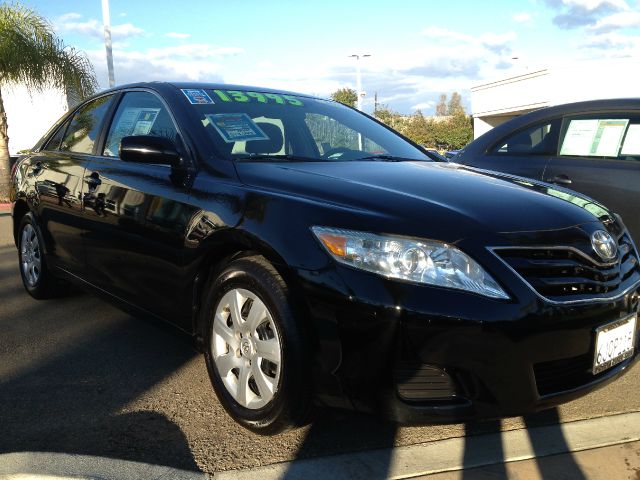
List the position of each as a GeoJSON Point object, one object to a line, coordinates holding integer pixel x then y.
{"type": "Point", "coordinates": [46, 285]}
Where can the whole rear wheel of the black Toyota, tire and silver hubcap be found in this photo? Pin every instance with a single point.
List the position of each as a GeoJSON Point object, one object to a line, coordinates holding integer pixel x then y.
{"type": "Point", "coordinates": [36, 278]}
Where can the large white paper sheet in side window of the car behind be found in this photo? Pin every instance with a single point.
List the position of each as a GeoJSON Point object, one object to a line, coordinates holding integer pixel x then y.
{"type": "Point", "coordinates": [594, 138]}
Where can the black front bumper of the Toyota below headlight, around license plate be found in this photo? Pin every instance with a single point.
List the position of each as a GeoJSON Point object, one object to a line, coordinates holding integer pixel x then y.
{"type": "Point", "coordinates": [428, 355]}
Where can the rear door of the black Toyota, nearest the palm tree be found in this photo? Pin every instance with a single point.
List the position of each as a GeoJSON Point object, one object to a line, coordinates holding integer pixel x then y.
{"type": "Point", "coordinates": [57, 172]}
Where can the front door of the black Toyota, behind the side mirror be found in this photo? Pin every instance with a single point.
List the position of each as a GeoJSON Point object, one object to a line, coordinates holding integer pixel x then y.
{"type": "Point", "coordinates": [138, 217]}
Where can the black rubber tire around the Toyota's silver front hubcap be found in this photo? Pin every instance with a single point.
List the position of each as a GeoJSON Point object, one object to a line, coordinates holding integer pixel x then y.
{"type": "Point", "coordinates": [291, 402]}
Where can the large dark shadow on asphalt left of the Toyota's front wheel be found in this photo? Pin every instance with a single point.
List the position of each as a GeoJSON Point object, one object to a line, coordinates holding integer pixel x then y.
{"type": "Point", "coordinates": [76, 396]}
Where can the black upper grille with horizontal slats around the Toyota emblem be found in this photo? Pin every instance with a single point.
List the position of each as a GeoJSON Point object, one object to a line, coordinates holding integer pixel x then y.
{"type": "Point", "coordinates": [565, 274]}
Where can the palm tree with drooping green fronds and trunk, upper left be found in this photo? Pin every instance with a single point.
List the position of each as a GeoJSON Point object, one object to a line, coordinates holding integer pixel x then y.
{"type": "Point", "coordinates": [32, 55]}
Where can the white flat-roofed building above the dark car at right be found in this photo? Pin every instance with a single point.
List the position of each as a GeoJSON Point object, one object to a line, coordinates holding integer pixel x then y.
{"type": "Point", "coordinates": [496, 102]}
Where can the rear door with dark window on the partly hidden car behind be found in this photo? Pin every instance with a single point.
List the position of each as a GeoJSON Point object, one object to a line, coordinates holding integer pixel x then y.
{"type": "Point", "coordinates": [525, 152]}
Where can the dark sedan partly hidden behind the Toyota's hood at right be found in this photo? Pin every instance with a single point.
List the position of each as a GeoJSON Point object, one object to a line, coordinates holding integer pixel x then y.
{"type": "Point", "coordinates": [592, 147]}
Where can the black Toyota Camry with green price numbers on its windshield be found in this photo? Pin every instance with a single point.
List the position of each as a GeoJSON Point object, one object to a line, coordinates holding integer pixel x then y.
{"type": "Point", "coordinates": [316, 256]}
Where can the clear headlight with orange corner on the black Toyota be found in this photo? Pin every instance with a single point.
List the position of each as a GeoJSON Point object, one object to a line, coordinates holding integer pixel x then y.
{"type": "Point", "coordinates": [420, 261]}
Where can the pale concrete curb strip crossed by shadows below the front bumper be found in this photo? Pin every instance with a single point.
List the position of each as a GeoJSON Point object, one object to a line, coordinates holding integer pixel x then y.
{"type": "Point", "coordinates": [454, 454]}
